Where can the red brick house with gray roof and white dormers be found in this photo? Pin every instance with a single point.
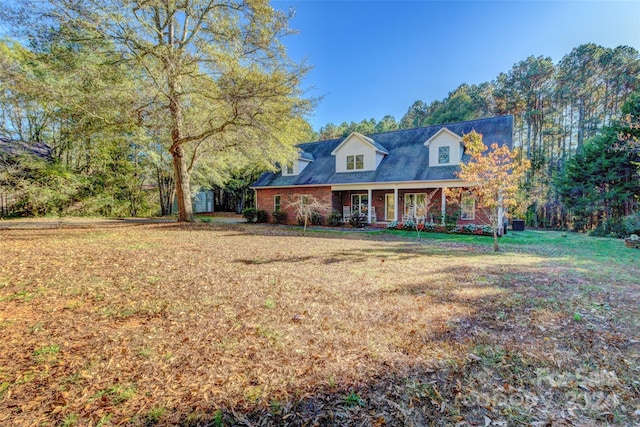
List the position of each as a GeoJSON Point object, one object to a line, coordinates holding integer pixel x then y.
{"type": "Point", "coordinates": [390, 176]}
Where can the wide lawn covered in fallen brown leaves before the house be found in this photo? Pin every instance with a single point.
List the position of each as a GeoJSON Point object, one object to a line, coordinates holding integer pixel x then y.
{"type": "Point", "coordinates": [249, 325]}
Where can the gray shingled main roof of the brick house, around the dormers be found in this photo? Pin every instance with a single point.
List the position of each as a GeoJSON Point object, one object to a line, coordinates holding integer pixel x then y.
{"type": "Point", "coordinates": [408, 158]}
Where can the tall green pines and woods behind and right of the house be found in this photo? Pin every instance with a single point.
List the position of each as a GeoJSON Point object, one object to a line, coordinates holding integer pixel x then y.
{"type": "Point", "coordinates": [566, 114]}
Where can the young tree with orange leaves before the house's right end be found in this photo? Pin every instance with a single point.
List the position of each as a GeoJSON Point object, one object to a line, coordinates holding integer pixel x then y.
{"type": "Point", "coordinates": [493, 177]}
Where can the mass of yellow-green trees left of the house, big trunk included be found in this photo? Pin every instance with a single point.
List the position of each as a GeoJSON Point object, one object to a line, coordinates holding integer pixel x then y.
{"type": "Point", "coordinates": [129, 94]}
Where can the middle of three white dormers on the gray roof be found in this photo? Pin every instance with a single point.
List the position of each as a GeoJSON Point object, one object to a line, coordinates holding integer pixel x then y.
{"type": "Point", "coordinates": [358, 153]}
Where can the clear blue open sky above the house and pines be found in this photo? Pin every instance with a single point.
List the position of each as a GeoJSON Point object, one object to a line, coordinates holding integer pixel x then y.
{"type": "Point", "coordinates": [373, 58]}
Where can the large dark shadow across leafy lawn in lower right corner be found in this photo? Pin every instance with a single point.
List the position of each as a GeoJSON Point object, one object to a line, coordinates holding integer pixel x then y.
{"type": "Point", "coordinates": [510, 361]}
